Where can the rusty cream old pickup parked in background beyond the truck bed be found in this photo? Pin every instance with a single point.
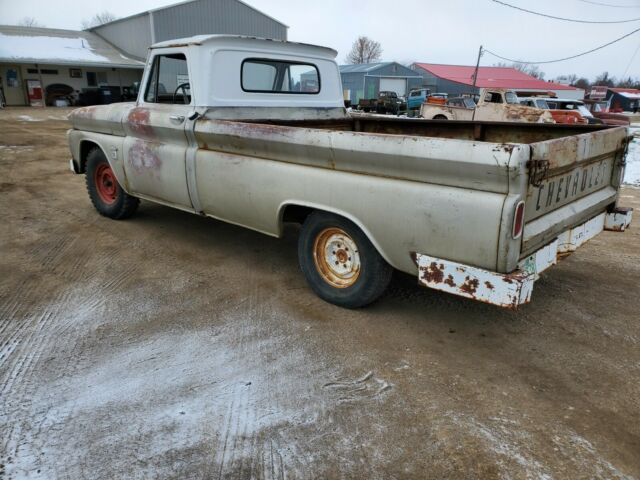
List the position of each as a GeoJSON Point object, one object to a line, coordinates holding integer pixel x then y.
{"type": "Point", "coordinates": [496, 105]}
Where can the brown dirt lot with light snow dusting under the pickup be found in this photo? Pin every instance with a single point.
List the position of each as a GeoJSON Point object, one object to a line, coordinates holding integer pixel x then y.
{"type": "Point", "coordinates": [174, 346]}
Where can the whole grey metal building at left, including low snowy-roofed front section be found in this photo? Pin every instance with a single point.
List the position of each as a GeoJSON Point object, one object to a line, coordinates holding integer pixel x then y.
{"type": "Point", "coordinates": [100, 64]}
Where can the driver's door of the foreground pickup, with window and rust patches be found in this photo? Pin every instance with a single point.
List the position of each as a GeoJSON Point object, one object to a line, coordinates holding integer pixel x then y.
{"type": "Point", "coordinates": [156, 142]}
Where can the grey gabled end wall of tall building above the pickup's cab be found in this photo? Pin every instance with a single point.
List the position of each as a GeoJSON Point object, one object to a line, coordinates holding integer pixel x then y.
{"type": "Point", "coordinates": [214, 17]}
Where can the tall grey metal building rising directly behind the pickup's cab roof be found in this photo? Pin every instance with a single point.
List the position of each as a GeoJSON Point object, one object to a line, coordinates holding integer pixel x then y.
{"type": "Point", "coordinates": [136, 33]}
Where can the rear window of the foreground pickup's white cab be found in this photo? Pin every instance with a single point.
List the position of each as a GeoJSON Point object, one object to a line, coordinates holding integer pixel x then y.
{"type": "Point", "coordinates": [279, 76]}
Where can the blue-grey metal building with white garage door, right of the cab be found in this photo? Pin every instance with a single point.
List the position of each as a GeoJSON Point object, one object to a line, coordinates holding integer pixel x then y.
{"type": "Point", "coordinates": [366, 80]}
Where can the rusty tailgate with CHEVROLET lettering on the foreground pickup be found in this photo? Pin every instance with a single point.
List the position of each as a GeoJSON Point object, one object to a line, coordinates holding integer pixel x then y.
{"type": "Point", "coordinates": [571, 179]}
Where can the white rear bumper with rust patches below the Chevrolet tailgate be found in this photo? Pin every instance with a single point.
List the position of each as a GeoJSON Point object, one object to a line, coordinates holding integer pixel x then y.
{"type": "Point", "coordinates": [513, 289]}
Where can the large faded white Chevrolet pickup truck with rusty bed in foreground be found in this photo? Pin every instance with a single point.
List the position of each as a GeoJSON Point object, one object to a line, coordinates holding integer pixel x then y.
{"type": "Point", "coordinates": [254, 132]}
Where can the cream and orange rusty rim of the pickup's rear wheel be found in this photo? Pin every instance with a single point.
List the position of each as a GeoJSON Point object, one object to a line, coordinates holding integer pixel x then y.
{"type": "Point", "coordinates": [336, 257]}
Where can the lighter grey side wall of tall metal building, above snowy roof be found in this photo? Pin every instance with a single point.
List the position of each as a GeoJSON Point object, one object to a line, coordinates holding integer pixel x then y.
{"type": "Point", "coordinates": [131, 35]}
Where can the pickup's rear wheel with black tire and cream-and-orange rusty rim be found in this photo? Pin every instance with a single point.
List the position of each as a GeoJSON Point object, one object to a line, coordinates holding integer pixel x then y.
{"type": "Point", "coordinates": [339, 262]}
